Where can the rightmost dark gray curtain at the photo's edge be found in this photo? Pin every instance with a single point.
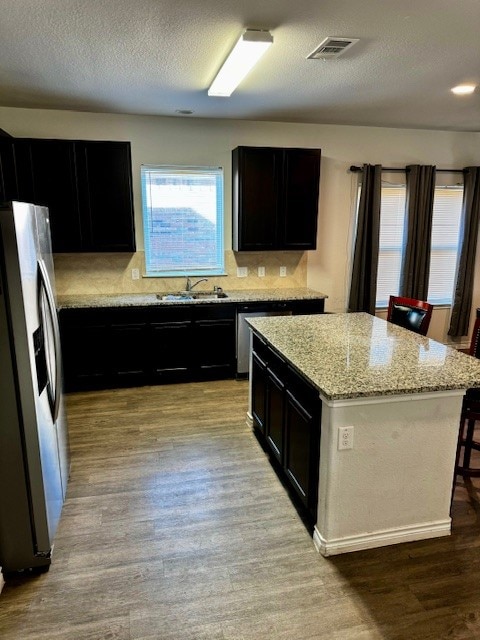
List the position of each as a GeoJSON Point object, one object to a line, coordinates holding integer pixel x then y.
{"type": "Point", "coordinates": [462, 301]}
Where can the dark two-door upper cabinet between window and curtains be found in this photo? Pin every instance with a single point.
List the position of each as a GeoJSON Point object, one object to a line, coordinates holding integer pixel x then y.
{"type": "Point", "coordinates": [275, 198]}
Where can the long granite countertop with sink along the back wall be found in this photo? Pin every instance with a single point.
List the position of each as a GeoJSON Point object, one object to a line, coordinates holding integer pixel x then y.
{"type": "Point", "coordinates": [150, 299]}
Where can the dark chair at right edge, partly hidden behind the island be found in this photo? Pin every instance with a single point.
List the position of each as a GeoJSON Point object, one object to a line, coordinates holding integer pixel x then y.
{"type": "Point", "coordinates": [470, 414]}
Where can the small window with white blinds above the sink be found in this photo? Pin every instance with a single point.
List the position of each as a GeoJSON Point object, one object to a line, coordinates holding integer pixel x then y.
{"type": "Point", "coordinates": [160, 258]}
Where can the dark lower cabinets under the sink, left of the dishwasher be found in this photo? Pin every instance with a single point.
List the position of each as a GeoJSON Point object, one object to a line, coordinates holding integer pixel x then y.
{"type": "Point", "coordinates": [118, 347]}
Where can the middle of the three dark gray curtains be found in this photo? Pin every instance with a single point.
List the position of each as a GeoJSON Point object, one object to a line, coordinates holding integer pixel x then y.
{"type": "Point", "coordinates": [418, 231]}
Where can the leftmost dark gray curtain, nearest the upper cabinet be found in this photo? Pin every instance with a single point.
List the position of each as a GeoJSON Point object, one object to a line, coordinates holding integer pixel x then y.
{"type": "Point", "coordinates": [363, 287]}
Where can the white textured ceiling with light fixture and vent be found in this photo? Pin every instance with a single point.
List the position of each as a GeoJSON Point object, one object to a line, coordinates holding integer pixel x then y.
{"type": "Point", "coordinates": [158, 56]}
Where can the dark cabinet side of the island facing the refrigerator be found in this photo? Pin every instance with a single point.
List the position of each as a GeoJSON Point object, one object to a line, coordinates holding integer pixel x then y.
{"type": "Point", "coordinates": [286, 413]}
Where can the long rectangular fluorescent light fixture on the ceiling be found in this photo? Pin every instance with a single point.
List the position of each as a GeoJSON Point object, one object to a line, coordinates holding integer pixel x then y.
{"type": "Point", "coordinates": [245, 54]}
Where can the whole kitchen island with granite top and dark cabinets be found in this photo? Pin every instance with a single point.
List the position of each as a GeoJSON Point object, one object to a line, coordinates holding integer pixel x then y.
{"type": "Point", "coordinates": [388, 417]}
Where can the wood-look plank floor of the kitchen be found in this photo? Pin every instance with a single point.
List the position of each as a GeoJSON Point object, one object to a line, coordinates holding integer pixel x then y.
{"type": "Point", "coordinates": [176, 528]}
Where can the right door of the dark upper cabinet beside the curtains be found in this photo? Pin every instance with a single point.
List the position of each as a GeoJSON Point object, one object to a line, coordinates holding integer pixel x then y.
{"type": "Point", "coordinates": [300, 199]}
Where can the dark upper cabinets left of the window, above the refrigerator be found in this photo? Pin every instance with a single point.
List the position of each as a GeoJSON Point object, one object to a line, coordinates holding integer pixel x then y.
{"type": "Point", "coordinates": [87, 186]}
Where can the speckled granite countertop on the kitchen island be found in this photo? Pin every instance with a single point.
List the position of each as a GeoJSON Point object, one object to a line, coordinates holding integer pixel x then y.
{"type": "Point", "coordinates": [358, 355]}
